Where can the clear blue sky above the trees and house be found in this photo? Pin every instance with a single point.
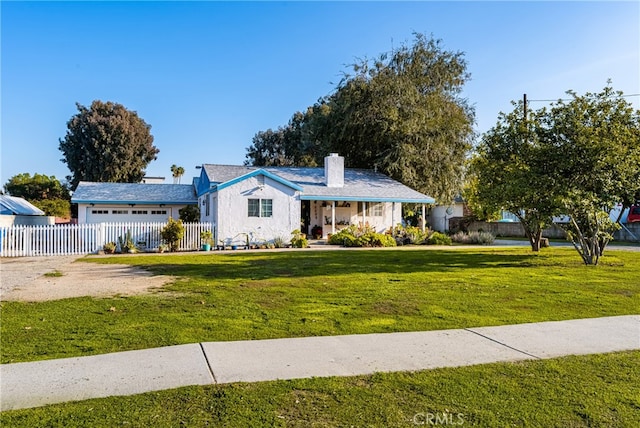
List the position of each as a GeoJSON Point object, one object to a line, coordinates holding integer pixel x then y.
{"type": "Point", "coordinates": [207, 76]}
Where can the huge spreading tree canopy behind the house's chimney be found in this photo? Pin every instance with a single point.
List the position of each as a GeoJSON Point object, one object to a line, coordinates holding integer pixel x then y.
{"type": "Point", "coordinates": [400, 113]}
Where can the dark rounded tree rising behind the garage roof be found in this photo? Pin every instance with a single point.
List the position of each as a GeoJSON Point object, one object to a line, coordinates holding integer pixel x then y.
{"type": "Point", "coordinates": [107, 143]}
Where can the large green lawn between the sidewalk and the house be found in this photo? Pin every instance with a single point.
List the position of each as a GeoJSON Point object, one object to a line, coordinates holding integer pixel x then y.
{"type": "Point", "coordinates": [242, 295]}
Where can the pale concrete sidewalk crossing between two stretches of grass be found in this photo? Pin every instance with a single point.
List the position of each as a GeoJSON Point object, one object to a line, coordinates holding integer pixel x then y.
{"type": "Point", "coordinates": [24, 385]}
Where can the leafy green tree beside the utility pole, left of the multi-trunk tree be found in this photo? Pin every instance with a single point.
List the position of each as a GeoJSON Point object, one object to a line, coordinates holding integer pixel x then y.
{"type": "Point", "coordinates": [508, 171]}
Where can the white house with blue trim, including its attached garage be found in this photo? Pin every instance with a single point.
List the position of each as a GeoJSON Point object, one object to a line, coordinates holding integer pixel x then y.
{"type": "Point", "coordinates": [261, 203]}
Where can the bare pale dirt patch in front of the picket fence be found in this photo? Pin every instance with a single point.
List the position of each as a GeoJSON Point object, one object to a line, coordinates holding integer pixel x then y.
{"type": "Point", "coordinates": [26, 279]}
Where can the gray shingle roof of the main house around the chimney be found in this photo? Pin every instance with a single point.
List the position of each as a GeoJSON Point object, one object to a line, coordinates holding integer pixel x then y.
{"type": "Point", "coordinates": [359, 184]}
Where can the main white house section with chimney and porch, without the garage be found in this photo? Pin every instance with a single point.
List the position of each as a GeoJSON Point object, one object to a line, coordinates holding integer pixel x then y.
{"type": "Point", "coordinates": [270, 202]}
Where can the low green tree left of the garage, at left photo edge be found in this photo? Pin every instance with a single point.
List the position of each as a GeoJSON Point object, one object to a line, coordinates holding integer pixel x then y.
{"type": "Point", "coordinates": [45, 192]}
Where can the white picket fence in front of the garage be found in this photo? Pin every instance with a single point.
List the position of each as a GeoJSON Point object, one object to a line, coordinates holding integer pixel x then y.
{"type": "Point", "coordinates": [72, 239]}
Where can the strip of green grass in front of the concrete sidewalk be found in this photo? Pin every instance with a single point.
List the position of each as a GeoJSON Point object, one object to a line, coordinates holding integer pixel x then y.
{"type": "Point", "coordinates": [580, 391]}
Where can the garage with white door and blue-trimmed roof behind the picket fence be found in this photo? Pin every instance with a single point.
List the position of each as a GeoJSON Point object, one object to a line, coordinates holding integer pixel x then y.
{"type": "Point", "coordinates": [138, 202]}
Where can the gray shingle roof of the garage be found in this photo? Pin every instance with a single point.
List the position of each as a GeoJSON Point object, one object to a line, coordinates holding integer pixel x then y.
{"type": "Point", "coordinates": [88, 192]}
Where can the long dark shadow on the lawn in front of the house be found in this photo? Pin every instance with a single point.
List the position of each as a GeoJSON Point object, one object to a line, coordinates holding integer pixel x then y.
{"type": "Point", "coordinates": [307, 264]}
